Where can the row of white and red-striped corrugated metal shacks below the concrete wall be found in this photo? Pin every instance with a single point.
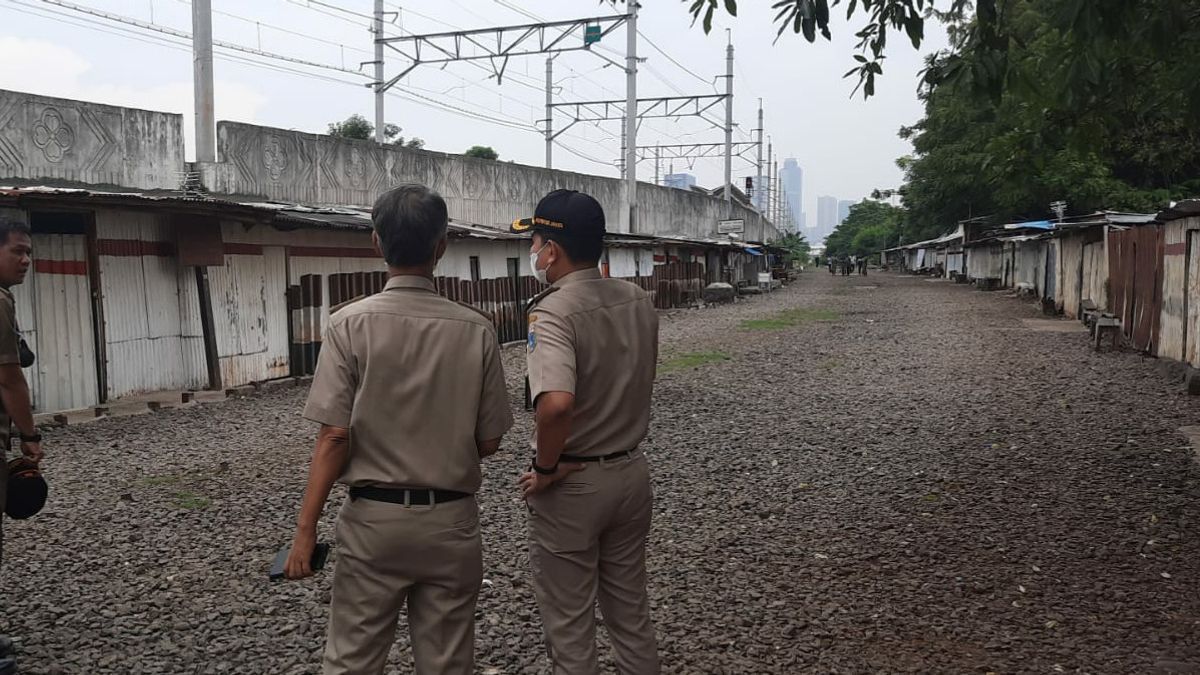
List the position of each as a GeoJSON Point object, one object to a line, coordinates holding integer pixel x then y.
{"type": "Point", "coordinates": [116, 301]}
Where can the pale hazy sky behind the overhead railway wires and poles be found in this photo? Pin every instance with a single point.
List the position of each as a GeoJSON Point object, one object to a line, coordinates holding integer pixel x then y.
{"type": "Point", "coordinates": [848, 147]}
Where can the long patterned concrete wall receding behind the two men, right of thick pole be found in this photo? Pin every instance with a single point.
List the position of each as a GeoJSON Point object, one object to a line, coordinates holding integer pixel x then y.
{"type": "Point", "coordinates": [320, 170]}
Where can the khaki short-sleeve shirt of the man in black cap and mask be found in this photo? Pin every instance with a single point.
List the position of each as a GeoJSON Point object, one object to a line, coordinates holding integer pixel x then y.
{"type": "Point", "coordinates": [597, 339]}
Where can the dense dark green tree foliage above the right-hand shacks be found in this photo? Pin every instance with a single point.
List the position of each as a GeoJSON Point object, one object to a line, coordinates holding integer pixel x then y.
{"type": "Point", "coordinates": [1097, 107]}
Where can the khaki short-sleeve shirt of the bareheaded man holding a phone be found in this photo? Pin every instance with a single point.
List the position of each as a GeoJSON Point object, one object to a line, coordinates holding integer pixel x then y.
{"type": "Point", "coordinates": [418, 380]}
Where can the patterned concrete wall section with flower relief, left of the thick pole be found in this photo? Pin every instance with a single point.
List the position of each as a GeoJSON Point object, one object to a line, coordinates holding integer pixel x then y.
{"type": "Point", "coordinates": [57, 141]}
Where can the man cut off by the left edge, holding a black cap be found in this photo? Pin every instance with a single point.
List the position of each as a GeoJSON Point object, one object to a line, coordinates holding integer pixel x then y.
{"type": "Point", "coordinates": [16, 409]}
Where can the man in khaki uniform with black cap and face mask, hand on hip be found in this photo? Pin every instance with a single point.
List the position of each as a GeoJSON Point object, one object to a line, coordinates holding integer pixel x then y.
{"type": "Point", "coordinates": [592, 353]}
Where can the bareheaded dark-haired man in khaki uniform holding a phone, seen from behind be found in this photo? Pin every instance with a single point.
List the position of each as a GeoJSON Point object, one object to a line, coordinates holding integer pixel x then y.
{"type": "Point", "coordinates": [411, 395]}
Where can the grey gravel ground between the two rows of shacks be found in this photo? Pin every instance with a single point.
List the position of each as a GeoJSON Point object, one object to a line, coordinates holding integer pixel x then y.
{"type": "Point", "coordinates": [898, 476]}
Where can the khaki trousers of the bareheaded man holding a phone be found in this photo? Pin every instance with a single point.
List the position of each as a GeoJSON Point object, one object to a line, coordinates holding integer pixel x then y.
{"type": "Point", "coordinates": [388, 555]}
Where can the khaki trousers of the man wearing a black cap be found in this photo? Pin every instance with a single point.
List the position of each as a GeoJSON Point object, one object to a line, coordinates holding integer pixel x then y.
{"type": "Point", "coordinates": [587, 543]}
